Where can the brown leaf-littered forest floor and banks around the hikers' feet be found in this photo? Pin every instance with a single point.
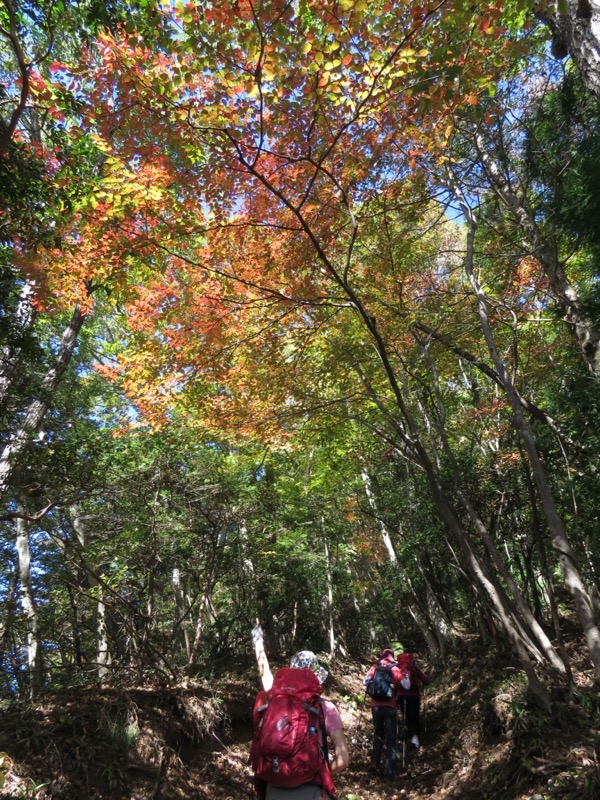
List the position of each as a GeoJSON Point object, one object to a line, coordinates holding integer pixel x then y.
{"type": "Point", "coordinates": [480, 741]}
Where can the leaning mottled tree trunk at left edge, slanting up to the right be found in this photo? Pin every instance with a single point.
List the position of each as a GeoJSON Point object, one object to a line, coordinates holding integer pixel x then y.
{"type": "Point", "coordinates": [36, 411]}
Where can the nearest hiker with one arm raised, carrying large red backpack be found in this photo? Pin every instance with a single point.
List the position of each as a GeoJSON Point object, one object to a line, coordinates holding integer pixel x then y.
{"type": "Point", "coordinates": [290, 752]}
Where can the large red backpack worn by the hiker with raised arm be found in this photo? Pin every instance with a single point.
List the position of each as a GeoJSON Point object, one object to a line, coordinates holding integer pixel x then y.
{"type": "Point", "coordinates": [290, 744]}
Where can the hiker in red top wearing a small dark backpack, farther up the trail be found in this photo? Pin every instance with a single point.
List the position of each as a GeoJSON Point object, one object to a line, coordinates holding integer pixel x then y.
{"type": "Point", "coordinates": [382, 682]}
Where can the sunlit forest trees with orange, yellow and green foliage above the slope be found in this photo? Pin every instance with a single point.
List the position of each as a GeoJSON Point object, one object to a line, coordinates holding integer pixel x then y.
{"type": "Point", "coordinates": [300, 304]}
